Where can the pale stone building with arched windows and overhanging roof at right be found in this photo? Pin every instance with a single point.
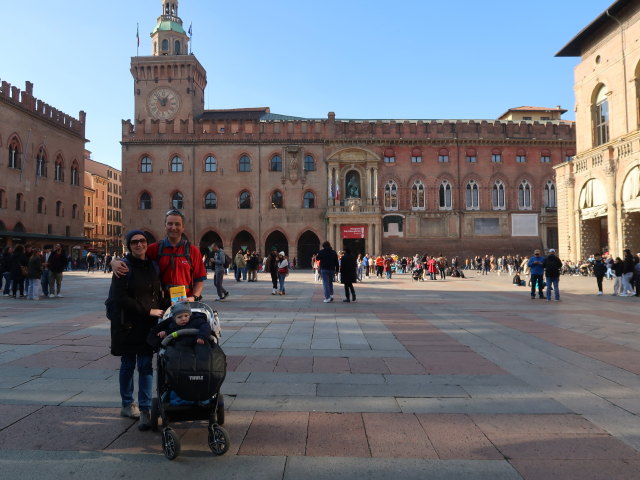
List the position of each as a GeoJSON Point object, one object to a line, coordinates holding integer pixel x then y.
{"type": "Point", "coordinates": [599, 190]}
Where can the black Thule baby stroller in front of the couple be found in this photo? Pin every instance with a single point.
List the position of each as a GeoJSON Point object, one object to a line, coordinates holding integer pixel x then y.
{"type": "Point", "coordinates": [188, 384]}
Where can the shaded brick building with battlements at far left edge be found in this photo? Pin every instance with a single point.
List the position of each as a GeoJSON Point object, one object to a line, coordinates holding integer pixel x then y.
{"type": "Point", "coordinates": [42, 165]}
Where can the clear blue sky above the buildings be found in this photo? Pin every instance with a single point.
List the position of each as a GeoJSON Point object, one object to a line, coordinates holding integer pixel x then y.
{"type": "Point", "coordinates": [406, 59]}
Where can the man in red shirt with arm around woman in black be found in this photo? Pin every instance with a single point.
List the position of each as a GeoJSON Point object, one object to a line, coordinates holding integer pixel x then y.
{"type": "Point", "coordinates": [179, 261]}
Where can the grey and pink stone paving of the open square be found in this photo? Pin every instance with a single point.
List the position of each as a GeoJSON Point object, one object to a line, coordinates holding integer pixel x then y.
{"type": "Point", "coordinates": [456, 379]}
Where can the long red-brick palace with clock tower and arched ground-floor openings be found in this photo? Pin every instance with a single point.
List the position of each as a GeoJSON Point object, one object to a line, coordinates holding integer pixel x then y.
{"type": "Point", "coordinates": [249, 178]}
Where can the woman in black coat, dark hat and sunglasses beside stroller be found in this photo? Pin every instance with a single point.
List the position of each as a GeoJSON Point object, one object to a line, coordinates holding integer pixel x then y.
{"type": "Point", "coordinates": [139, 296]}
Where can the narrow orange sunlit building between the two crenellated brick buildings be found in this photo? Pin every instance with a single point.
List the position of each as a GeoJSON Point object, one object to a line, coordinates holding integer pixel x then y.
{"type": "Point", "coordinates": [103, 212]}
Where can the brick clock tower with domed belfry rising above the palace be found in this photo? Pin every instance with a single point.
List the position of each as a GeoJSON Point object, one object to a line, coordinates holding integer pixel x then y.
{"type": "Point", "coordinates": [168, 85]}
